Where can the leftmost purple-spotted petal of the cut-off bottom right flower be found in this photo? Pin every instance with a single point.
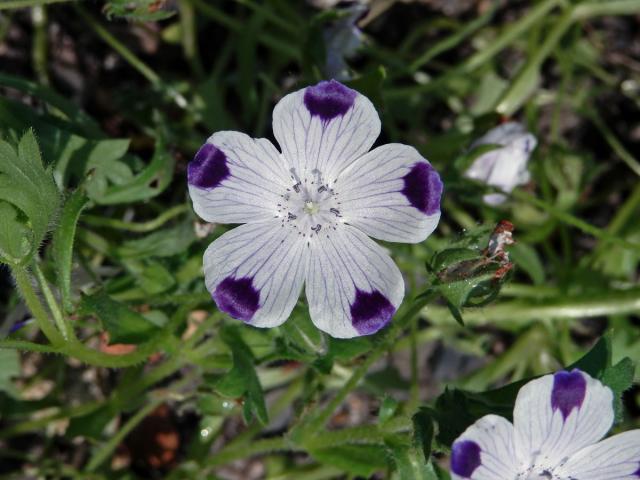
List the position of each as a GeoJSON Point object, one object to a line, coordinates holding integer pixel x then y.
{"type": "Point", "coordinates": [485, 451]}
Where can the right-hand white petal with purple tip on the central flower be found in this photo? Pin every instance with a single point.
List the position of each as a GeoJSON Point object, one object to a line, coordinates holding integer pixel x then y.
{"type": "Point", "coordinates": [391, 193]}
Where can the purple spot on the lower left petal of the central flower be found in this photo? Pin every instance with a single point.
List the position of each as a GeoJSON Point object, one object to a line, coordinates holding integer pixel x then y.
{"type": "Point", "coordinates": [237, 297]}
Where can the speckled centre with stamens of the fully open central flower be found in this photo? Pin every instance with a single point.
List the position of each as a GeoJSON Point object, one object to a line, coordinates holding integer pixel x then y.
{"type": "Point", "coordinates": [310, 206]}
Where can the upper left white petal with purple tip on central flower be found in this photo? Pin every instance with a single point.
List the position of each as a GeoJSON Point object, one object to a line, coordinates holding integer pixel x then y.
{"type": "Point", "coordinates": [237, 179]}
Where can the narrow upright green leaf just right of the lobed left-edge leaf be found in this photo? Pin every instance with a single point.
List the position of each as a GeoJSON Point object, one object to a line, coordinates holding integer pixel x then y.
{"type": "Point", "coordinates": [62, 244]}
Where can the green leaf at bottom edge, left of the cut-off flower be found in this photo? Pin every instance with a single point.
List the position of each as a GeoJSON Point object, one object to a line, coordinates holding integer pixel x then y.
{"type": "Point", "coordinates": [360, 460]}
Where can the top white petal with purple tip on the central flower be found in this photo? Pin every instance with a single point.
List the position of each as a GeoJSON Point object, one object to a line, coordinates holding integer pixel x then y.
{"type": "Point", "coordinates": [324, 128]}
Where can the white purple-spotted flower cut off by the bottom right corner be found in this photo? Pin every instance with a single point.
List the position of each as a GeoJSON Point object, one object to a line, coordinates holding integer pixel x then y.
{"type": "Point", "coordinates": [558, 421]}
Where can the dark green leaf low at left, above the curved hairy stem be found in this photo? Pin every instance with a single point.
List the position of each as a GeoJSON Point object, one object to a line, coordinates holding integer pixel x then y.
{"type": "Point", "coordinates": [123, 324]}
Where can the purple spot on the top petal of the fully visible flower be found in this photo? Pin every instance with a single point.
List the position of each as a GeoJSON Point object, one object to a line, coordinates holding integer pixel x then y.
{"type": "Point", "coordinates": [328, 100]}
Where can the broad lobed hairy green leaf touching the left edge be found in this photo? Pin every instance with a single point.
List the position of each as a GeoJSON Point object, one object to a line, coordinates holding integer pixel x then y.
{"type": "Point", "coordinates": [29, 188]}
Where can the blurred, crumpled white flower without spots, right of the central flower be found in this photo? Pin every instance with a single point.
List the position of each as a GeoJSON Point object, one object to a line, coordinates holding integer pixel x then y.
{"type": "Point", "coordinates": [504, 167]}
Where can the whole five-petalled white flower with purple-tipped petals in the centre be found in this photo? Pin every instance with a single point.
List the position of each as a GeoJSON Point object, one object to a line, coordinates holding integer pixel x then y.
{"type": "Point", "coordinates": [308, 212]}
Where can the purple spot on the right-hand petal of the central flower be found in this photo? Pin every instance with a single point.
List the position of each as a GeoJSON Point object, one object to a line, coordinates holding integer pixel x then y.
{"type": "Point", "coordinates": [423, 188]}
